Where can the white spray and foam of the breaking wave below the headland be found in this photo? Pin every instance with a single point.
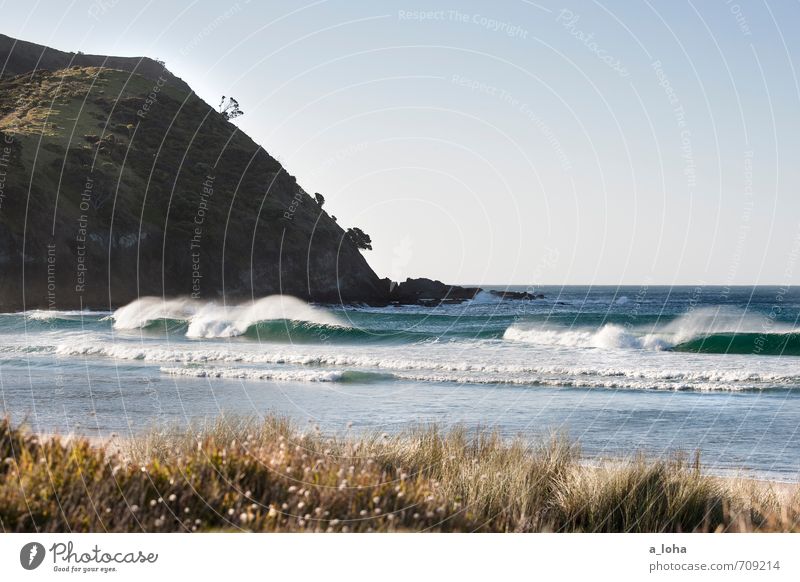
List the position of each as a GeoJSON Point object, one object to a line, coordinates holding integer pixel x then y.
{"type": "Point", "coordinates": [211, 320]}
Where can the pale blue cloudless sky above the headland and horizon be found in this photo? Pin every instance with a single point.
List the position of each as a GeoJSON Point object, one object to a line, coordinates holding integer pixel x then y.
{"type": "Point", "coordinates": [514, 142]}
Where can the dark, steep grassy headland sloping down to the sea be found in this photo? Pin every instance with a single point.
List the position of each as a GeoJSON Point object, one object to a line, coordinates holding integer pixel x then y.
{"type": "Point", "coordinates": [119, 182]}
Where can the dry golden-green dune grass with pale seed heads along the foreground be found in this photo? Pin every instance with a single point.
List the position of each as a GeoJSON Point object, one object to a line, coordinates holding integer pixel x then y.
{"type": "Point", "coordinates": [268, 476]}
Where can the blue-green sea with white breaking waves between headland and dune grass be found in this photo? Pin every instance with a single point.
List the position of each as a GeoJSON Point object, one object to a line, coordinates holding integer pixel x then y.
{"type": "Point", "coordinates": [621, 370]}
